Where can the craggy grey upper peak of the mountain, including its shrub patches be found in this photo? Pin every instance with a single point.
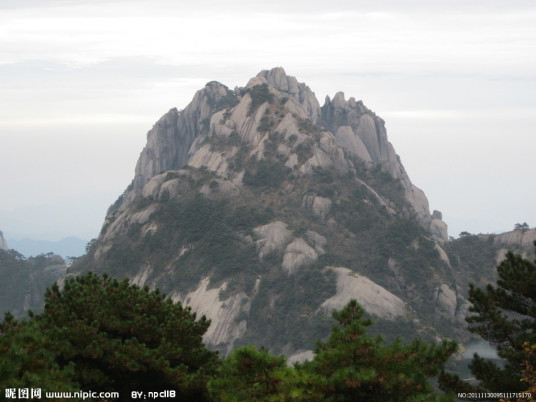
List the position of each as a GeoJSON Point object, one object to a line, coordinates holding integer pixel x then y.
{"type": "Point", "coordinates": [340, 135]}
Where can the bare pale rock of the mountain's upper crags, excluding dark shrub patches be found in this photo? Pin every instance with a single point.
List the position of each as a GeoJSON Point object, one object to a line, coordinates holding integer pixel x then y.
{"type": "Point", "coordinates": [351, 134]}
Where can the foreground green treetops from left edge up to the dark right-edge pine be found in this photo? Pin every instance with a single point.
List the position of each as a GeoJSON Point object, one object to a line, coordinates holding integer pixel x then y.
{"type": "Point", "coordinates": [100, 334]}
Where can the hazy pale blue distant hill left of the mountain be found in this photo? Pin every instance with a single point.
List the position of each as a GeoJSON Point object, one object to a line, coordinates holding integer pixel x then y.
{"type": "Point", "coordinates": [67, 247]}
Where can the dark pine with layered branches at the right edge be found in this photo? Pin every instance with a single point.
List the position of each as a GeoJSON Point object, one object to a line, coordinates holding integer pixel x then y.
{"type": "Point", "coordinates": [505, 315]}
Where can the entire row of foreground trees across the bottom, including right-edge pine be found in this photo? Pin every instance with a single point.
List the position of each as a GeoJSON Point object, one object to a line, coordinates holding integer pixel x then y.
{"type": "Point", "coordinates": [98, 333]}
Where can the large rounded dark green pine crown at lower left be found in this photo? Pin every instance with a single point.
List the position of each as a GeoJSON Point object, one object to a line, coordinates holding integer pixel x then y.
{"type": "Point", "coordinates": [105, 335]}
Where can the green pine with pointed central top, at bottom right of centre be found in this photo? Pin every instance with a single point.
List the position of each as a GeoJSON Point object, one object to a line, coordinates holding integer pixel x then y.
{"type": "Point", "coordinates": [355, 366]}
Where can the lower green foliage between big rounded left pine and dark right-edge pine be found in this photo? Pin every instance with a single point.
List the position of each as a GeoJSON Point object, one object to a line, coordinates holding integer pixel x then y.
{"type": "Point", "coordinates": [349, 366]}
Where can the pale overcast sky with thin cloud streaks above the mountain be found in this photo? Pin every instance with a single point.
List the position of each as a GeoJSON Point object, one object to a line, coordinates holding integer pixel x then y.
{"type": "Point", "coordinates": [81, 83]}
